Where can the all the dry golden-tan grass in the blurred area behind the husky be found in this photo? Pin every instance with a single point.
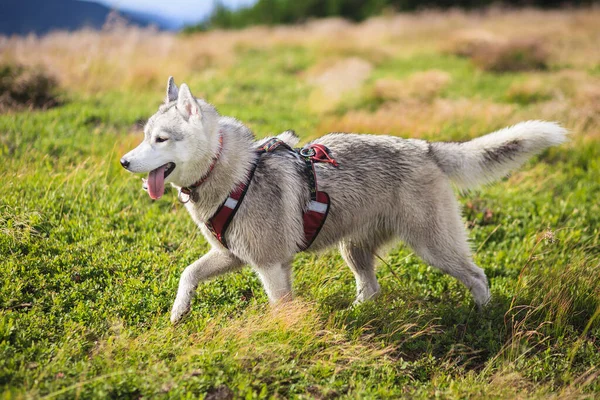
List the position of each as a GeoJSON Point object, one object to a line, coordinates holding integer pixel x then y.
{"type": "Point", "coordinates": [346, 53]}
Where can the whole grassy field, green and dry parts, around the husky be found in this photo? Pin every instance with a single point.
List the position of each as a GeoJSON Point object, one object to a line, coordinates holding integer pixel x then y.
{"type": "Point", "coordinates": [89, 265]}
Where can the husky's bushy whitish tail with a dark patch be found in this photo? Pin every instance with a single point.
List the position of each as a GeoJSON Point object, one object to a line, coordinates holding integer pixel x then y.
{"type": "Point", "coordinates": [493, 156]}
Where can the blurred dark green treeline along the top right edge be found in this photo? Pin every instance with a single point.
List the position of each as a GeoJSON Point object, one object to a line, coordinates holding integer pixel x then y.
{"type": "Point", "coordinates": [274, 12]}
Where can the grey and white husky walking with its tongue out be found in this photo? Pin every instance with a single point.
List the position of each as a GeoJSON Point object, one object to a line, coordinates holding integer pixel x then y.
{"type": "Point", "coordinates": [384, 188]}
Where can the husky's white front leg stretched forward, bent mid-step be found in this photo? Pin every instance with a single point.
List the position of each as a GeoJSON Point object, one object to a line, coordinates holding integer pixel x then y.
{"type": "Point", "coordinates": [213, 263]}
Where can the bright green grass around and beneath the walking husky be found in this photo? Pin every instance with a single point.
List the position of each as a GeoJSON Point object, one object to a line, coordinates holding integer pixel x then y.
{"type": "Point", "coordinates": [89, 268]}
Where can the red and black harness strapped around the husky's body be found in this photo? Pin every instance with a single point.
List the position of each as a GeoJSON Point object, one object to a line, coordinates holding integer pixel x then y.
{"type": "Point", "coordinates": [316, 212]}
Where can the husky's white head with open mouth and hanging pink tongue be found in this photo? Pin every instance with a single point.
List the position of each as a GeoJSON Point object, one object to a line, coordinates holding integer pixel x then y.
{"type": "Point", "coordinates": [179, 140]}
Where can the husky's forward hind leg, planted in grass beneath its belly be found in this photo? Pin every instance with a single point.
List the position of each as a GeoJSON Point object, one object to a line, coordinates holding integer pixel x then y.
{"type": "Point", "coordinates": [360, 259]}
